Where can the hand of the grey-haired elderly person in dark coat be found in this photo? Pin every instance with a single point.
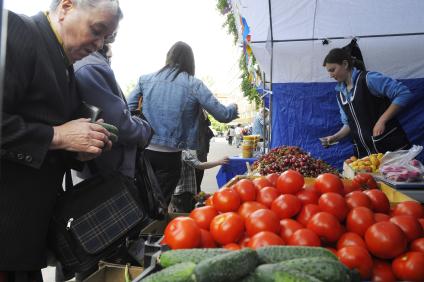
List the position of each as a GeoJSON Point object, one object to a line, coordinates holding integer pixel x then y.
{"type": "Point", "coordinates": [81, 136]}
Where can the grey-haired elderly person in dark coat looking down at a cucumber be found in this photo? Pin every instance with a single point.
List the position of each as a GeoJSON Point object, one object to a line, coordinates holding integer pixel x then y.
{"type": "Point", "coordinates": [40, 136]}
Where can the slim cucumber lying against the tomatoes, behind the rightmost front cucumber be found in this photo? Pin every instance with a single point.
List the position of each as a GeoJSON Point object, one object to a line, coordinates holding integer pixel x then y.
{"type": "Point", "coordinates": [275, 254]}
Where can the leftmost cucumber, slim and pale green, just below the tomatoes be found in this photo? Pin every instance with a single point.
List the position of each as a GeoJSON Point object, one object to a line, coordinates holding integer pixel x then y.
{"type": "Point", "coordinates": [194, 255]}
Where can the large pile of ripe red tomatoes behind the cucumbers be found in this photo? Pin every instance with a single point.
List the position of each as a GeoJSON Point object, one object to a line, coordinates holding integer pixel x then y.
{"type": "Point", "coordinates": [359, 226]}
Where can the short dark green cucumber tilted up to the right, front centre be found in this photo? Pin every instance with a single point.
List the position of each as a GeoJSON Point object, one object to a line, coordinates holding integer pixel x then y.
{"type": "Point", "coordinates": [231, 266]}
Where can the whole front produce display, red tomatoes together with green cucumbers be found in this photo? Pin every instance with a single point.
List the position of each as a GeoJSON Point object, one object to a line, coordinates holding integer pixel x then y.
{"type": "Point", "coordinates": [290, 228]}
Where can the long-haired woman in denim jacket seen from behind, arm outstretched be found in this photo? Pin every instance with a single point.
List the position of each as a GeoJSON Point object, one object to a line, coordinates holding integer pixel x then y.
{"type": "Point", "coordinates": [172, 101]}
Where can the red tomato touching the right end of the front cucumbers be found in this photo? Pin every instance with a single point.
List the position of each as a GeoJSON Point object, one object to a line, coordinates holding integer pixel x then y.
{"type": "Point", "coordinates": [358, 258]}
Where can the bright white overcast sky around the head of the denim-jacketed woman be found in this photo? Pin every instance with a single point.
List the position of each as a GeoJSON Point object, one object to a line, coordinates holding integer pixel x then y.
{"type": "Point", "coordinates": [150, 27]}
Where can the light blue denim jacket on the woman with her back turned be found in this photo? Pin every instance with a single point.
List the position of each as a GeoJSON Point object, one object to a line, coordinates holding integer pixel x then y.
{"type": "Point", "coordinates": [174, 107]}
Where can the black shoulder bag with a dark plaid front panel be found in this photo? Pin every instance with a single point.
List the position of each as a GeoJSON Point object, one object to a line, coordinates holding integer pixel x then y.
{"type": "Point", "coordinates": [94, 219]}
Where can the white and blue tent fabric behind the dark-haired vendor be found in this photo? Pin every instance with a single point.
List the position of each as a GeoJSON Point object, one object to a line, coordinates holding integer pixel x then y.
{"type": "Point", "coordinates": [290, 38]}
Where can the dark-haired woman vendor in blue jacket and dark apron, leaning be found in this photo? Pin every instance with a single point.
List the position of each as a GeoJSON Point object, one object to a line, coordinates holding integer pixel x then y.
{"type": "Point", "coordinates": [369, 103]}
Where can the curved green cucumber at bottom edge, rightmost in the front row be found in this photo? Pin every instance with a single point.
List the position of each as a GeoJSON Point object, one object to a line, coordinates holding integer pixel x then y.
{"type": "Point", "coordinates": [322, 268]}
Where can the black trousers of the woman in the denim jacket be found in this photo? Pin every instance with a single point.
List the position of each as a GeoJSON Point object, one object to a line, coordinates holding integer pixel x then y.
{"type": "Point", "coordinates": [167, 167]}
